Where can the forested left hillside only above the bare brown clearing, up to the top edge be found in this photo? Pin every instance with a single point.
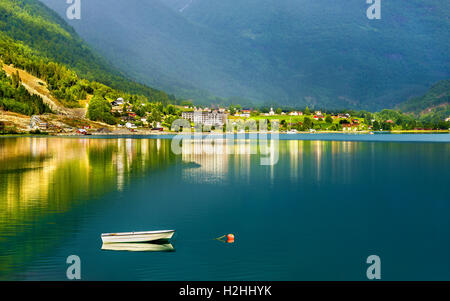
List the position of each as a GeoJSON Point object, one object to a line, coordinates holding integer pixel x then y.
{"type": "Point", "coordinates": [36, 39]}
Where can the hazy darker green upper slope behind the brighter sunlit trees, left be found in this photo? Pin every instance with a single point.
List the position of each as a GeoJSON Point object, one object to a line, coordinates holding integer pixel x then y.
{"type": "Point", "coordinates": [48, 36]}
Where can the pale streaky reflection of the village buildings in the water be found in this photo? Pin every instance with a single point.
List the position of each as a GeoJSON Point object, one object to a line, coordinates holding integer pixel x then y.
{"type": "Point", "coordinates": [305, 159]}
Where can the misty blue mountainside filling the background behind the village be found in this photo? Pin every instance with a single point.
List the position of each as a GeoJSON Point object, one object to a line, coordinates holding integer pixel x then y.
{"type": "Point", "coordinates": [319, 53]}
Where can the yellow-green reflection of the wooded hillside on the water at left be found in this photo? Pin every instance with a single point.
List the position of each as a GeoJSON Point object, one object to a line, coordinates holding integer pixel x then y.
{"type": "Point", "coordinates": [44, 180]}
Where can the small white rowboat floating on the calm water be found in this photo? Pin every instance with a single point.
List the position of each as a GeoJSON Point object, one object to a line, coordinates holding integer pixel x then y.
{"type": "Point", "coordinates": [137, 236]}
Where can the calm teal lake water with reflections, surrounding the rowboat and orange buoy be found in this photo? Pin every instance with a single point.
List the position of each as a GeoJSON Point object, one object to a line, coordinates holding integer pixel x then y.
{"type": "Point", "coordinates": [315, 215]}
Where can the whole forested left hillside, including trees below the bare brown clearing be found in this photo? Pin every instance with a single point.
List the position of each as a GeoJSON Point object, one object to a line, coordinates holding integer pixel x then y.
{"type": "Point", "coordinates": [36, 40]}
